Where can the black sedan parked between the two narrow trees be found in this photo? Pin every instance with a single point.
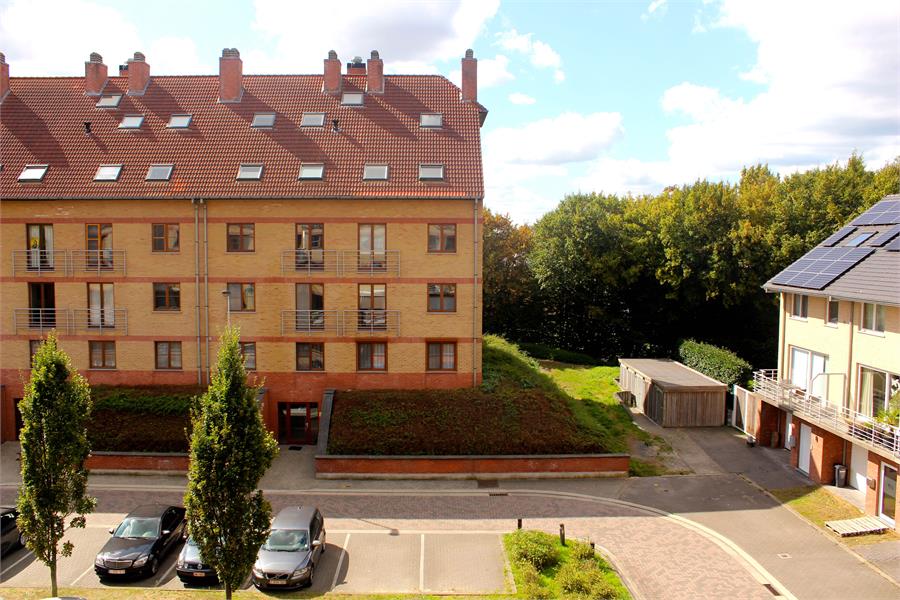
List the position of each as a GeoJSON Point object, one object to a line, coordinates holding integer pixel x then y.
{"type": "Point", "coordinates": [141, 541]}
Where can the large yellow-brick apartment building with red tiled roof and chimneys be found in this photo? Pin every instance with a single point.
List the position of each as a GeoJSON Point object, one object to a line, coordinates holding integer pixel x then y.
{"type": "Point", "coordinates": [334, 217]}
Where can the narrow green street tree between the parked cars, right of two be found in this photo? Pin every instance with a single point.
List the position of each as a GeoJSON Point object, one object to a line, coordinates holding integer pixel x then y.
{"type": "Point", "coordinates": [230, 451]}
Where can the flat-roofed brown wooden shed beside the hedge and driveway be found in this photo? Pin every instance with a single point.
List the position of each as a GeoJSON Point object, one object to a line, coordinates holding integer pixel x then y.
{"type": "Point", "coordinates": [671, 394]}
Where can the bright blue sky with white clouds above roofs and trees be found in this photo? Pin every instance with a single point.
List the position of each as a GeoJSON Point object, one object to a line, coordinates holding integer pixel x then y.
{"type": "Point", "coordinates": [619, 97]}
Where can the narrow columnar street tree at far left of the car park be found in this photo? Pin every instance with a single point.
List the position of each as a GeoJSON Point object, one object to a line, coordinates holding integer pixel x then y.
{"type": "Point", "coordinates": [54, 442]}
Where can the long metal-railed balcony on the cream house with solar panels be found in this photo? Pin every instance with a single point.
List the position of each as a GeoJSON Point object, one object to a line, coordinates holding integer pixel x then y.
{"type": "Point", "coordinates": [843, 421]}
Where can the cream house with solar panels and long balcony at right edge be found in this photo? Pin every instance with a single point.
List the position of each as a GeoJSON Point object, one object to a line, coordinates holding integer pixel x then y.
{"type": "Point", "coordinates": [838, 361]}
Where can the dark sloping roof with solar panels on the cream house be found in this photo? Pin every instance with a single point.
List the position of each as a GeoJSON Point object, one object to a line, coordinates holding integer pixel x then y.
{"type": "Point", "coordinates": [859, 262]}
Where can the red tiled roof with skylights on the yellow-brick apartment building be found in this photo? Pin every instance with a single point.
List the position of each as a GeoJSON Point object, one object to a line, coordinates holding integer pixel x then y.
{"type": "Point", "coordinates": [41, 122]}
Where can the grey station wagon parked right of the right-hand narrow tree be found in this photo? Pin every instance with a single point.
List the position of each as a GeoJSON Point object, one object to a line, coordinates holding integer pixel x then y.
{"type": "Point", "coordinates": [289, 556]}
